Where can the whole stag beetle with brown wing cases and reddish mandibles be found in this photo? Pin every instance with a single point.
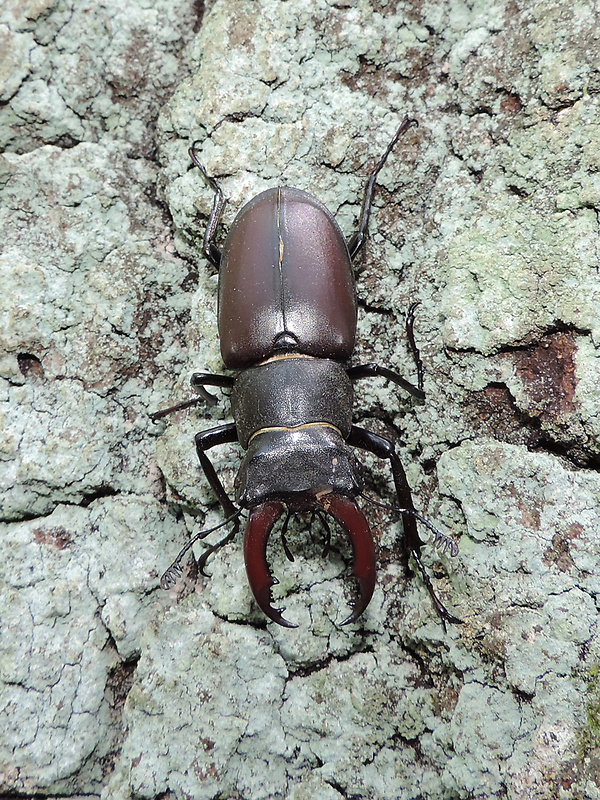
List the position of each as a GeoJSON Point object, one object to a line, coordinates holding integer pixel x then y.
{"type": "Point", "coordinates": [287, 315]}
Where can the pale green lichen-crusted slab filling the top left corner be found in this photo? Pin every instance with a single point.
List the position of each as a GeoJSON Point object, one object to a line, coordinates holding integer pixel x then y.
{"type": "Point", "coordinates": [73, 72]}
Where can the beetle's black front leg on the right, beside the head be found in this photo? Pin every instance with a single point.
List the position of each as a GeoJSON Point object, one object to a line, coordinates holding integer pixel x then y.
{"type": "Point", "coordinates": [385, 449]}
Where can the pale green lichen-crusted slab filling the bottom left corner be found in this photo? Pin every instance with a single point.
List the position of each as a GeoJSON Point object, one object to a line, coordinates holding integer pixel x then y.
{"type": "Point", "coordinates": [76, 591]}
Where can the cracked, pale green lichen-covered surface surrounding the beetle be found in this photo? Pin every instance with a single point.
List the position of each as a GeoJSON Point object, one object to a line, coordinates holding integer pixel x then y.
{"type": "Point", "coordinates": [487, 214]}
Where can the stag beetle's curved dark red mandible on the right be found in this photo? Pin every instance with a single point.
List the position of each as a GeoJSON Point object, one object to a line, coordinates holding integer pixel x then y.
{"type": "Point", "coordinates": [351, 518]}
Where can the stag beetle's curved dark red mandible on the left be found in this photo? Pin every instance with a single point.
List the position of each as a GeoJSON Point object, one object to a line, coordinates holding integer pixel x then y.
{"type": "Point", "coordinates": [258, 529]}
